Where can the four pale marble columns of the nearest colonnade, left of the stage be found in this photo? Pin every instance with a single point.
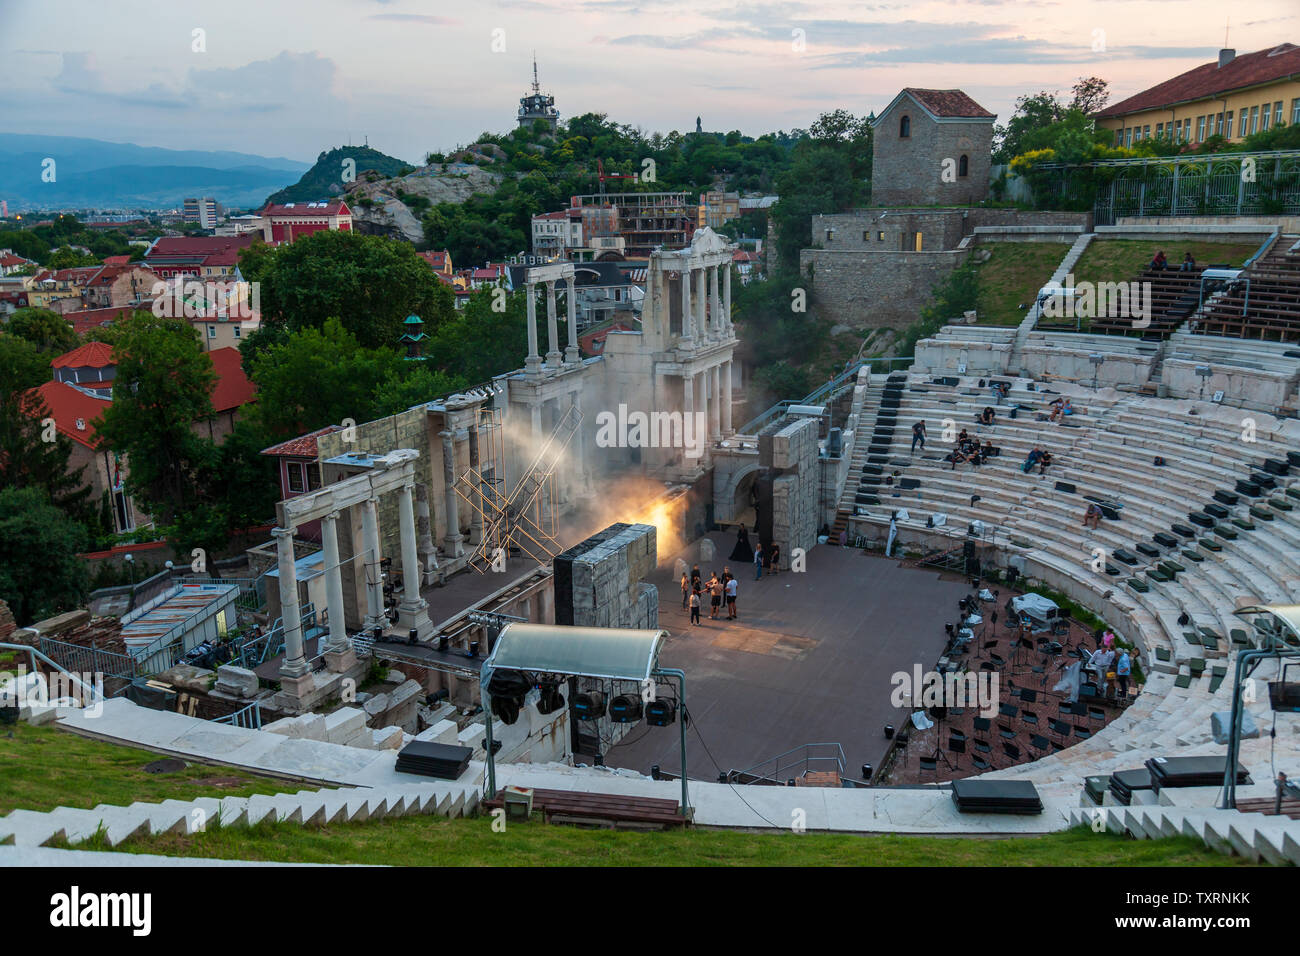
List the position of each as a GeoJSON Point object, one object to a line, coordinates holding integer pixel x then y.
{"type": "Point", "coordinates": [411, 612]}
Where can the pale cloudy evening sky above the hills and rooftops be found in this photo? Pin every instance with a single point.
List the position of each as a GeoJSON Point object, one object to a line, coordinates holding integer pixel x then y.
{"type": "Point", "coordinates": [285, 79]}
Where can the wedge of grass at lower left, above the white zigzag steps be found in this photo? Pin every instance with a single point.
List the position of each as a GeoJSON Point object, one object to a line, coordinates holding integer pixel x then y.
{"type": "Point", "coordinates": [44, 768]}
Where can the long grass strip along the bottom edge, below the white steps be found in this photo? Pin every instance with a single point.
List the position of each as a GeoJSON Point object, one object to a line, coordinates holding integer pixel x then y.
{"type": "Point", "coordinates": [435, 841]}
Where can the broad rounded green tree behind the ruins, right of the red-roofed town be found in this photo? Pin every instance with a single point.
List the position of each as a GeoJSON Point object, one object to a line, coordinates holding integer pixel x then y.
{"type": "Point", "coordinates": [370, 283]}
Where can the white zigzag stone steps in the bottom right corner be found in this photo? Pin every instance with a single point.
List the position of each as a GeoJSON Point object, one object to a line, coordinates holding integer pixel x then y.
{"type": "Point", "coordinates": [1253, 836]}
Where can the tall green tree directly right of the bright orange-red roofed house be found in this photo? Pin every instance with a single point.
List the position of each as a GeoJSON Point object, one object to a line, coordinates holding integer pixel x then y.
{"type": "Point", "coordinates": [163, 388]}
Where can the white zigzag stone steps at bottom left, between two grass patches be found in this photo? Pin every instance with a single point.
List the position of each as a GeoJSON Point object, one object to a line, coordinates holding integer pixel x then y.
{"type": "Point", "coordinates": [305, 808]}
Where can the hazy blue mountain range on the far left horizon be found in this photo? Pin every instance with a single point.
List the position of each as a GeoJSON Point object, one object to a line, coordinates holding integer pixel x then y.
{"type": "Point", "coordinates": [98, 174]}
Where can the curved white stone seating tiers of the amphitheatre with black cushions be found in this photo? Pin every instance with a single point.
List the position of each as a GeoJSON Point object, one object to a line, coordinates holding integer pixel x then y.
{"type": "Point", "coordinates": [1251, 552]}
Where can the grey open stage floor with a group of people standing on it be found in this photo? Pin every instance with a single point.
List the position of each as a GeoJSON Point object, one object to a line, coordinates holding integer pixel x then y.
{"type": "Point", "coordinates": [809, 660]}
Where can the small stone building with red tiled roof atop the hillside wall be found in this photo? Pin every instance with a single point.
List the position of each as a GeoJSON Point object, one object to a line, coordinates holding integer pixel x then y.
{"type": "Point", "coordinates": [931, 148]}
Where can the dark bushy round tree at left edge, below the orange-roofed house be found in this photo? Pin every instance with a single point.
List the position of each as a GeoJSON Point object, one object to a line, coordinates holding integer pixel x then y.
{"type": "Point", "coordinates": [41, 574]}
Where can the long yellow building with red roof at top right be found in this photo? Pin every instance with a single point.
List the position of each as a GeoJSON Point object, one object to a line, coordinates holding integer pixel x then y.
{"type": "Point", "coordinates": [1232, 98]}
